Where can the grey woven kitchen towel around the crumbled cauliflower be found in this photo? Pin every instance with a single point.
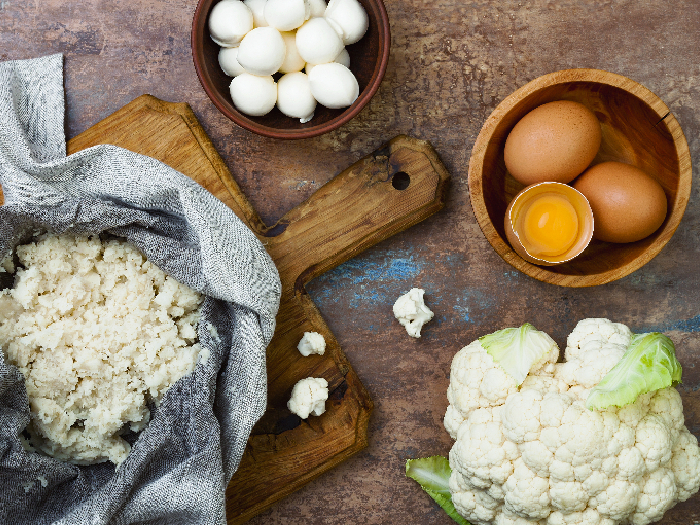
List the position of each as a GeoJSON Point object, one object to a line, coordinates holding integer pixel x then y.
{"type": "Point", "coordinates": [179, 466]}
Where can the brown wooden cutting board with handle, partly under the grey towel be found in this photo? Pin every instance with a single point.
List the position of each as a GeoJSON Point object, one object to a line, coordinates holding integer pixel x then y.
{"type": "Point", "coordinates": [386, 192]}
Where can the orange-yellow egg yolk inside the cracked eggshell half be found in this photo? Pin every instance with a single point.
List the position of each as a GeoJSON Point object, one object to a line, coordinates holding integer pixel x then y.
{"type": "Point", "coordinates": [550, 226]}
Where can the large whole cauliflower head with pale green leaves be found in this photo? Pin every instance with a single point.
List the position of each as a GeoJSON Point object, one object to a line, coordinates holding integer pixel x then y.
{"type": "Point", "coordinates": [596, 440]}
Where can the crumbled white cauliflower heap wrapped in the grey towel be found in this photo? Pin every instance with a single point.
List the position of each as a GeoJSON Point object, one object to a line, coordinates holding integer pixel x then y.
{"type": "Point", "coordinates": [98, 333]}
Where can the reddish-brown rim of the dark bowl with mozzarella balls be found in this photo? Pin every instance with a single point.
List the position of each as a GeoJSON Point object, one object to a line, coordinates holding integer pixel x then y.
{"type": "Point", "coordinates": [312, 131]}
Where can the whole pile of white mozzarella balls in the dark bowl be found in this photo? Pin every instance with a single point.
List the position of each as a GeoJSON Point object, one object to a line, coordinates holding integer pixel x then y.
{"type": "Point", "coordinates": [260, 38]}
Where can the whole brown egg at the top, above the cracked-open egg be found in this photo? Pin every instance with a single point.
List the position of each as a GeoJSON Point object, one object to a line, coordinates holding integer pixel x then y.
{"type": "Point", "coordinates": [554, 142]}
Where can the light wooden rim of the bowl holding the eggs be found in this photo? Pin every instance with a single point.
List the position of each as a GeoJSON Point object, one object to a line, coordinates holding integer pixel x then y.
{"type": "Point", "coordinates": [565, 76]}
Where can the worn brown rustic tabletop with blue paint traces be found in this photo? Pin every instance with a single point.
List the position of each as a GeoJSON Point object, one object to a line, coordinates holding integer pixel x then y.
{"type": "Point", "coordinates": [452, 62]}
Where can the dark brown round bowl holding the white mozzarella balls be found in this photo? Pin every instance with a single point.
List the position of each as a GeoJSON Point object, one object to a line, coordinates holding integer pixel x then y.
{"type": "Point", "coordinates": [368, 60]}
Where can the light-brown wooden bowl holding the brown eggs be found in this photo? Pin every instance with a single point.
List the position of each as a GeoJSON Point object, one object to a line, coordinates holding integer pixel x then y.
{"type": "Point", "coordinates": [637, 128]}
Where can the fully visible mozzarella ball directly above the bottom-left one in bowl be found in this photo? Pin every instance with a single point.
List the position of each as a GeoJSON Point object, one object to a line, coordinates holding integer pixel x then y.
{"type": "Point", "coordinates": [262, 51]}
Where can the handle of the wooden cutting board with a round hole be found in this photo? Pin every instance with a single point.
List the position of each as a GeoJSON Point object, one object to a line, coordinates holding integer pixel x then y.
{"type": "Point", "coordinates": [389, 190]}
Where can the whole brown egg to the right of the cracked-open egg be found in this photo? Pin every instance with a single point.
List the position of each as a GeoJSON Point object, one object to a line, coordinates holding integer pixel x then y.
{"type": "Point", "coordinates": [627, 204]}
